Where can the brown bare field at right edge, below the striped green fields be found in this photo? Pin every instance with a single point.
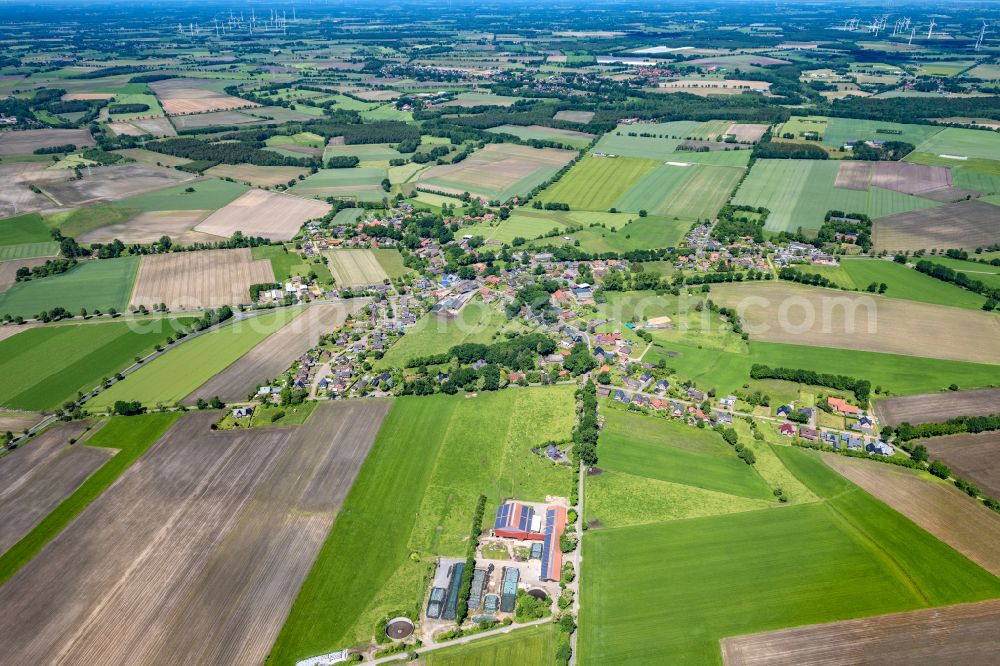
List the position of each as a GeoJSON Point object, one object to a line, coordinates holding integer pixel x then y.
{"type": "Point", "coordinates": [967, 224]}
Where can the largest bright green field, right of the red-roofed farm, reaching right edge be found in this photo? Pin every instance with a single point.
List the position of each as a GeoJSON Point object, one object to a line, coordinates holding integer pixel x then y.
{"type": "Point", "coordinates": [679, 587]}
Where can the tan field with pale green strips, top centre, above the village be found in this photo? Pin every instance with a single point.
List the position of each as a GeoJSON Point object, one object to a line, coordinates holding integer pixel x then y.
{"type": "Point", "coordinates": [498, 171]}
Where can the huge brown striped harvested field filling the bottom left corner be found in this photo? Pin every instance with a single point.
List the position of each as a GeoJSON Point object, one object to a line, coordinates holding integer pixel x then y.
{"type": "Point", "coordinates": [196, 553]}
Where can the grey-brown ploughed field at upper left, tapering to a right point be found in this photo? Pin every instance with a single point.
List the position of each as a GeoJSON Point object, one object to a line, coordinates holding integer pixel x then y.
{"type": "Point", "coordinates": [111, 183]}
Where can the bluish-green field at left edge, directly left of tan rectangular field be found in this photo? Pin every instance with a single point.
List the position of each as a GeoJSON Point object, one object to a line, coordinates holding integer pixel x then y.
{"type": "Point", "coordinates": [101, 284]}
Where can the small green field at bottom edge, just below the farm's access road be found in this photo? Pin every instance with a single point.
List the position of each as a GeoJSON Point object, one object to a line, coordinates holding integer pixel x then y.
{"type": "Point", "coordinates": [531, 646]}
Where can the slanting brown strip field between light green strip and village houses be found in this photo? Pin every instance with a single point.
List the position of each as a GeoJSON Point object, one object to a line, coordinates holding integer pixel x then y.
{"type": "Point", "coordinates": [273, 356]}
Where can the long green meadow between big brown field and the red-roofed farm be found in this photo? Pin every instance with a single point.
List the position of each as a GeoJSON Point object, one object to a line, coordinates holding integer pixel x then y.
{"type": "Point", "coordinates": [434, 455]}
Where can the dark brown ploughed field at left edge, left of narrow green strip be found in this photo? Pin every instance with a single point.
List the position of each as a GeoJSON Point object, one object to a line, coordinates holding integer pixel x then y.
{"type": "Point", "coordinates": [35, 478]}
